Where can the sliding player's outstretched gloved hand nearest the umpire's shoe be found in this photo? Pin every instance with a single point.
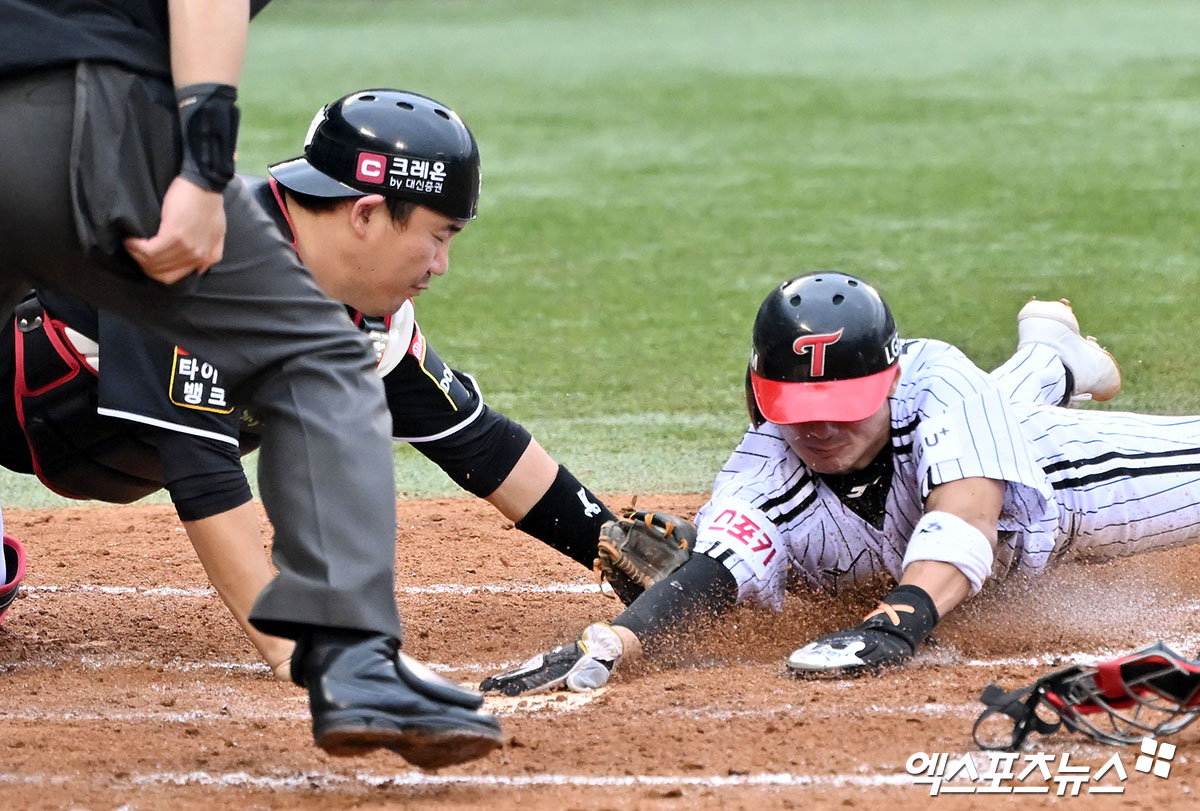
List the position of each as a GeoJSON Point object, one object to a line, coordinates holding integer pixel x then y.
{"type": "Point", "coordinates": [583, 665]}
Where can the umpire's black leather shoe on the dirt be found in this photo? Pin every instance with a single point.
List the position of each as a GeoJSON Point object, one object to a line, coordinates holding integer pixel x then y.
{"type": "Point", "coordinates": [367, 695]}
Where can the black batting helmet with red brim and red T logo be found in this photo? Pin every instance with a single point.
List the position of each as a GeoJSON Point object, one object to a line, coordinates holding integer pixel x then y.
{"type": "Point", "coordinates": [825, 349]}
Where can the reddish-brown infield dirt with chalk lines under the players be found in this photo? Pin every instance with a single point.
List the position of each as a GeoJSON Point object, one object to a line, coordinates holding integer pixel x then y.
{"type": "Point", "coordinates": [127, 686]}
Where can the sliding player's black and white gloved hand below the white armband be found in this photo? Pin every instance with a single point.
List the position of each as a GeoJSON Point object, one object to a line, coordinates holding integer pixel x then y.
{"type": "Point", "coordinates": [889, 636]}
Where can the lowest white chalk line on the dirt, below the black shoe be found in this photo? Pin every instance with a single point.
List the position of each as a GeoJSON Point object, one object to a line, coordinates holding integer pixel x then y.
{"type": "Point", "coordinates": [328, 782]}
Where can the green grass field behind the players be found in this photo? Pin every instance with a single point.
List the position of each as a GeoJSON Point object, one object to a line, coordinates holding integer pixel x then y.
{"type": "Point", "coordinates": [652, 169]}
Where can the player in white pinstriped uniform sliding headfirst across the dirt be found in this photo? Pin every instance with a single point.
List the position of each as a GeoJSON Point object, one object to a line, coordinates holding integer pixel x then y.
{"type": "Point", "coordinates": [872, 456]}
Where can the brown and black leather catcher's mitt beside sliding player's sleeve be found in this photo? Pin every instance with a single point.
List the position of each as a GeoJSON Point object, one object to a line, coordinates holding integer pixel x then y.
{"type": "Point", "coordinates": [641, 549]}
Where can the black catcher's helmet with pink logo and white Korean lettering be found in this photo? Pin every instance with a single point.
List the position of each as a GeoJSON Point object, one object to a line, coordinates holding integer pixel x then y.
{"type": "Point", "coordinates": [393, 143]}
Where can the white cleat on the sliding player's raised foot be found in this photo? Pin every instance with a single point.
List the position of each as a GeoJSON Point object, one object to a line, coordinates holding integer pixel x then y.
{"type": "Point", "coordinates": [1095, 371]}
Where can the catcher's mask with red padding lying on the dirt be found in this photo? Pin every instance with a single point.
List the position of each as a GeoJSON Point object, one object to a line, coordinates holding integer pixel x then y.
{"type": "Point", "coordinates": [1151, 693]}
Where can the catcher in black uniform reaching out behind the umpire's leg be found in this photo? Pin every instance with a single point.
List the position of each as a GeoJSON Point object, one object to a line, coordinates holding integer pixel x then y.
{"type": "Point", "coordinates": [159, 417]}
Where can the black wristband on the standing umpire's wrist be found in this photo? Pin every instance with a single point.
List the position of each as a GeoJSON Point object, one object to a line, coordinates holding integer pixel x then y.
{"type": "Point", "coordinates": [208, 121]}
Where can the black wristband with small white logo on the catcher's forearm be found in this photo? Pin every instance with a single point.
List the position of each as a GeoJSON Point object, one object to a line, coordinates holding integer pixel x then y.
{"type": "Point", "coordinates": [568, 518]}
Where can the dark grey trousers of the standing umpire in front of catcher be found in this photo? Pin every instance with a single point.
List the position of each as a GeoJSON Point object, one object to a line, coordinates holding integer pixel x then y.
{"type": "Point", "coordinates": [86, 158]}
